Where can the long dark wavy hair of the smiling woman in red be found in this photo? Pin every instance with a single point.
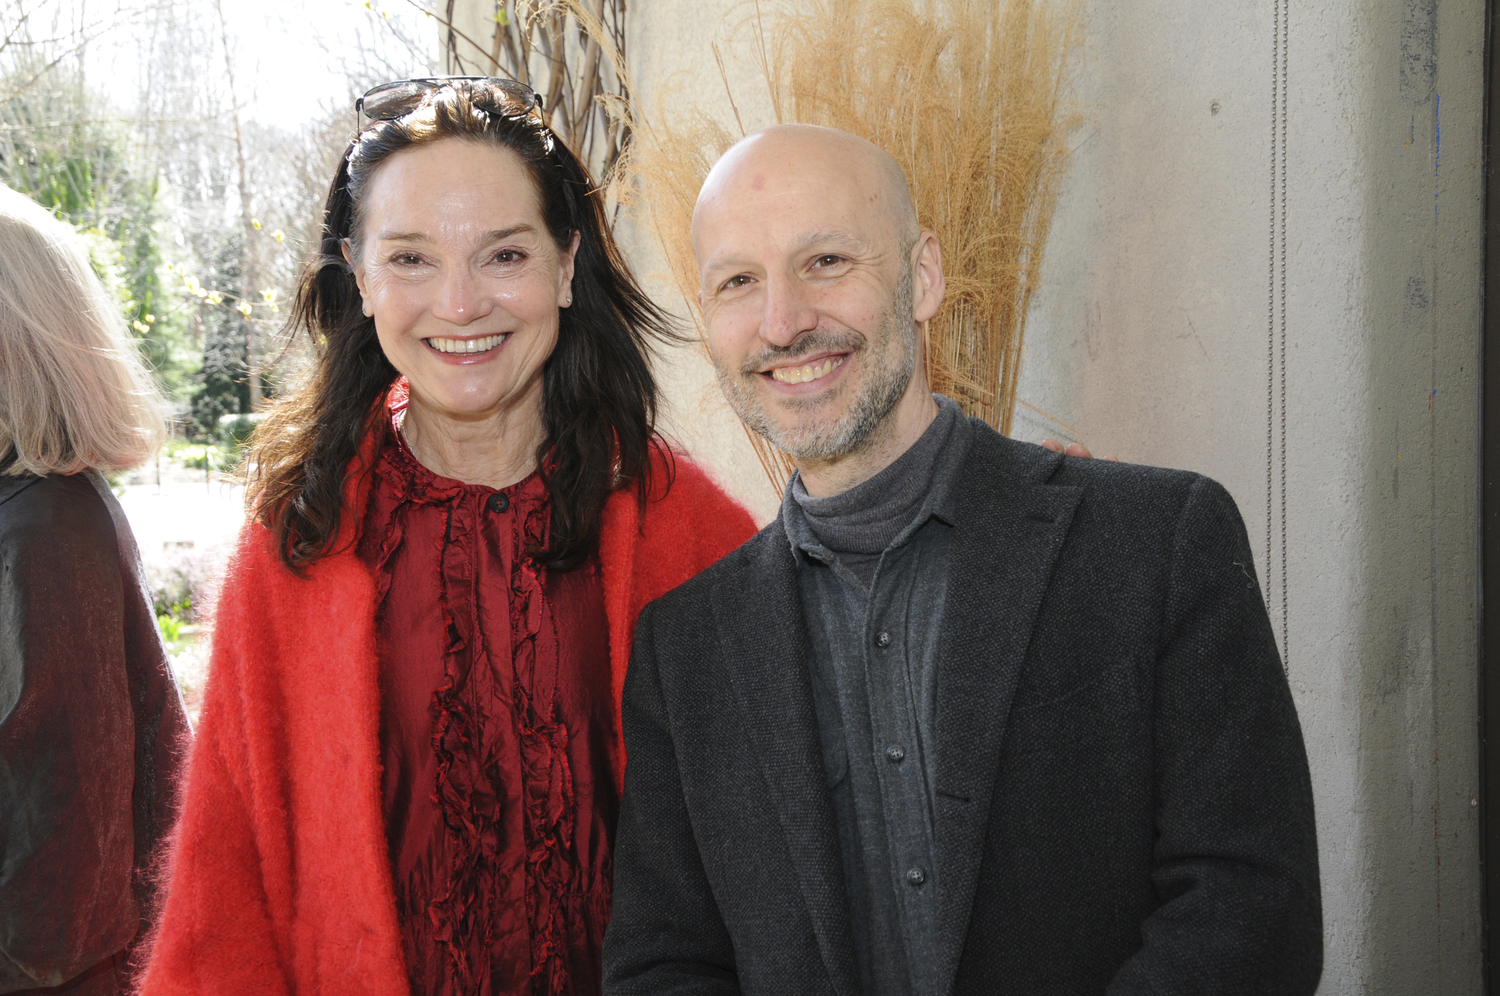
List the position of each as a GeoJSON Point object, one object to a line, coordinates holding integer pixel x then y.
{"type": "Point", "coordinates": [599, 397]}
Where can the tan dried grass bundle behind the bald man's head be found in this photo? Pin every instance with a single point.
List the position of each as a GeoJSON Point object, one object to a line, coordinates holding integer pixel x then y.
{"type": "Point", "coordinates": [967, 95]}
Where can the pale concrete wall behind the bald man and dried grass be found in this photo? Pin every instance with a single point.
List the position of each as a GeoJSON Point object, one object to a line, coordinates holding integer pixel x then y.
{"type": "Point", "coordinates": [1160, 335]}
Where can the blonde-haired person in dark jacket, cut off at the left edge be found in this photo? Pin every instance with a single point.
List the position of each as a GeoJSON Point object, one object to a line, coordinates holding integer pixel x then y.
{"type": "Point", "coordinates": [91, 721]}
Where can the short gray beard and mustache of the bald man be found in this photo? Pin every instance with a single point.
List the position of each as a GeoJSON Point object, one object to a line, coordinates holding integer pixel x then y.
{"type": "Point", "coordinates": [821, 442]}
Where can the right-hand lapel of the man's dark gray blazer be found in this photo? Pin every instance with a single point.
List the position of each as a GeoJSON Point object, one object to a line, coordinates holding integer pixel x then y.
{"type": "Point", "coordinates": [1009, 533]}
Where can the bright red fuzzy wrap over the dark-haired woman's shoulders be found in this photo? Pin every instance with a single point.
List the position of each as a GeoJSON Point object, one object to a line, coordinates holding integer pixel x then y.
{"type": "Point", "coordinates": [280, 871]}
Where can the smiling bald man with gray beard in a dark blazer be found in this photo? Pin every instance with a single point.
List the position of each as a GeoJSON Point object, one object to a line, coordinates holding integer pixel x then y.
{"type": "Point", "coordinates": [970, 716]}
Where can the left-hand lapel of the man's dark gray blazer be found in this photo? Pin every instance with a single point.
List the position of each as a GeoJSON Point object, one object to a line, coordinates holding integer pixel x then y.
{"type": "Point", "coordinates": [764, 635]}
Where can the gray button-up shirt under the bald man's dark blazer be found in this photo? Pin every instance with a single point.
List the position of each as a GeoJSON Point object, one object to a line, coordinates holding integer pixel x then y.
{"type": "Point", "coordinates": [875, 685]}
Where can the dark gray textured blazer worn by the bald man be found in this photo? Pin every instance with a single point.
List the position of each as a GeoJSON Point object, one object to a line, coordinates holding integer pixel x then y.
{"type": "Point", "coordinates": [1123, 791]}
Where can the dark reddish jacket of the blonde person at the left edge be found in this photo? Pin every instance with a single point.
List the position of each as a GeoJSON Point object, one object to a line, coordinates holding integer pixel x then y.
{"type": "Point", "coordinates": [91, 731]}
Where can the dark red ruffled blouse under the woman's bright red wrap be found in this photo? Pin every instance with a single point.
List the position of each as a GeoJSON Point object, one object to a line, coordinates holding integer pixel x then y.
{"type": "Point", "coordinates": [496, 728]}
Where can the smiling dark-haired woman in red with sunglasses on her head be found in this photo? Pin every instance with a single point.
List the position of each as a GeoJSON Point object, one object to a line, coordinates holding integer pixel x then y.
{"type": "Point", "coordinates": [409, 764]}
